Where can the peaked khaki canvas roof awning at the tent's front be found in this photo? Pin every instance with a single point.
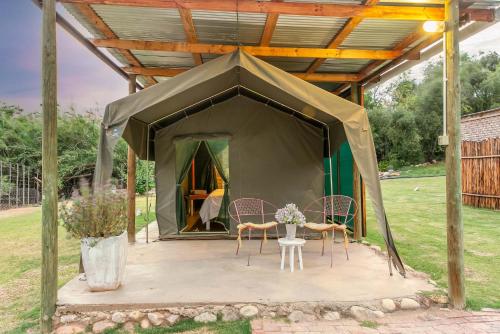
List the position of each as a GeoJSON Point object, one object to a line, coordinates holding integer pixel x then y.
{"type": "Point", "coordinates": [215, 81]}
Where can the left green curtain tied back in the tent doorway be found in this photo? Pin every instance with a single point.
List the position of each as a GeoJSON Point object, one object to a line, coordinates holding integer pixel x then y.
{"type": "Point", "coordinates": [185, 150]}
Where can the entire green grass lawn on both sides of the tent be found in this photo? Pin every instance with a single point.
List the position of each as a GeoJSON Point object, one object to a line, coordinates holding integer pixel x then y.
{"type": "Point", "coordinates": [417, 220]}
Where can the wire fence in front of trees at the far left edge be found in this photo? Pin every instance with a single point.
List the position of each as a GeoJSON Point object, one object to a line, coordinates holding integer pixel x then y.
{"type": "Point", "coordinates": [20, 186]}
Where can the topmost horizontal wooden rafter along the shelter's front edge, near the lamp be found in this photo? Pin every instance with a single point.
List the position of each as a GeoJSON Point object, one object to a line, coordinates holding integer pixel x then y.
{"type": "Point", "coordinates": [418, 13]}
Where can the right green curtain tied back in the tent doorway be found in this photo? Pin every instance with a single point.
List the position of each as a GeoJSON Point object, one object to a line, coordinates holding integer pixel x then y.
{"type": "Point", "coordinates": [219, 151]}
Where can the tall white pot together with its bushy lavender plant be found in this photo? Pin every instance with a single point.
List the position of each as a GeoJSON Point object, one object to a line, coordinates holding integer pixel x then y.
{"type": "Point", "coordinates": [99, 220]}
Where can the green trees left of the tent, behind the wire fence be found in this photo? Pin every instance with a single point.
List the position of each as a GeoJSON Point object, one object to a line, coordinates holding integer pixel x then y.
{"type": "Point", "coordinates": [77, 145]}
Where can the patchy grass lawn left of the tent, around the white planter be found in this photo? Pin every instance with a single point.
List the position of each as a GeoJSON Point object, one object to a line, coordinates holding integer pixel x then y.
{"type": "Point", "coordinates": [20, 256]}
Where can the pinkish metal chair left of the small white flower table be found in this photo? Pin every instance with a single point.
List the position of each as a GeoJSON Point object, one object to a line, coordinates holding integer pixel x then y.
{"type": "Point", "coordinates": [256, 207]}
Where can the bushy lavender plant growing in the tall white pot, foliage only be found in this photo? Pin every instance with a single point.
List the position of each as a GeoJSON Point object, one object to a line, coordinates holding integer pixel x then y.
{"type": "Point", "coordinates": [101, 214]}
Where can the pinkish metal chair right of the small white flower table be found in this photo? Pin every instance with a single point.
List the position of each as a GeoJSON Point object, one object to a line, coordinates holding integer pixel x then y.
{"type": "Point", "coordinates": [333, 212]}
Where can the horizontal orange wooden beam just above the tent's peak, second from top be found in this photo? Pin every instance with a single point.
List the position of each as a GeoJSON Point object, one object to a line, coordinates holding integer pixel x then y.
{"type": "Point", "coordinates": [264, 51]}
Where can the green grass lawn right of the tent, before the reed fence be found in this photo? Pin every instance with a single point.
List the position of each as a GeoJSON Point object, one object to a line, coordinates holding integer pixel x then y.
{"type": "Point", "coordinates": [418, 223]}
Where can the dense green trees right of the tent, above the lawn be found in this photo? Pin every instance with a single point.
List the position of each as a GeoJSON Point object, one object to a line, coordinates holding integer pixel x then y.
{"type": "Point", "coordinates": [407, 116]}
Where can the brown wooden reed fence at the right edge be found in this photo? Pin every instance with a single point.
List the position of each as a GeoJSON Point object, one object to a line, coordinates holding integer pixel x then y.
{"type": "Point", "coordinates": [481, 173]}
